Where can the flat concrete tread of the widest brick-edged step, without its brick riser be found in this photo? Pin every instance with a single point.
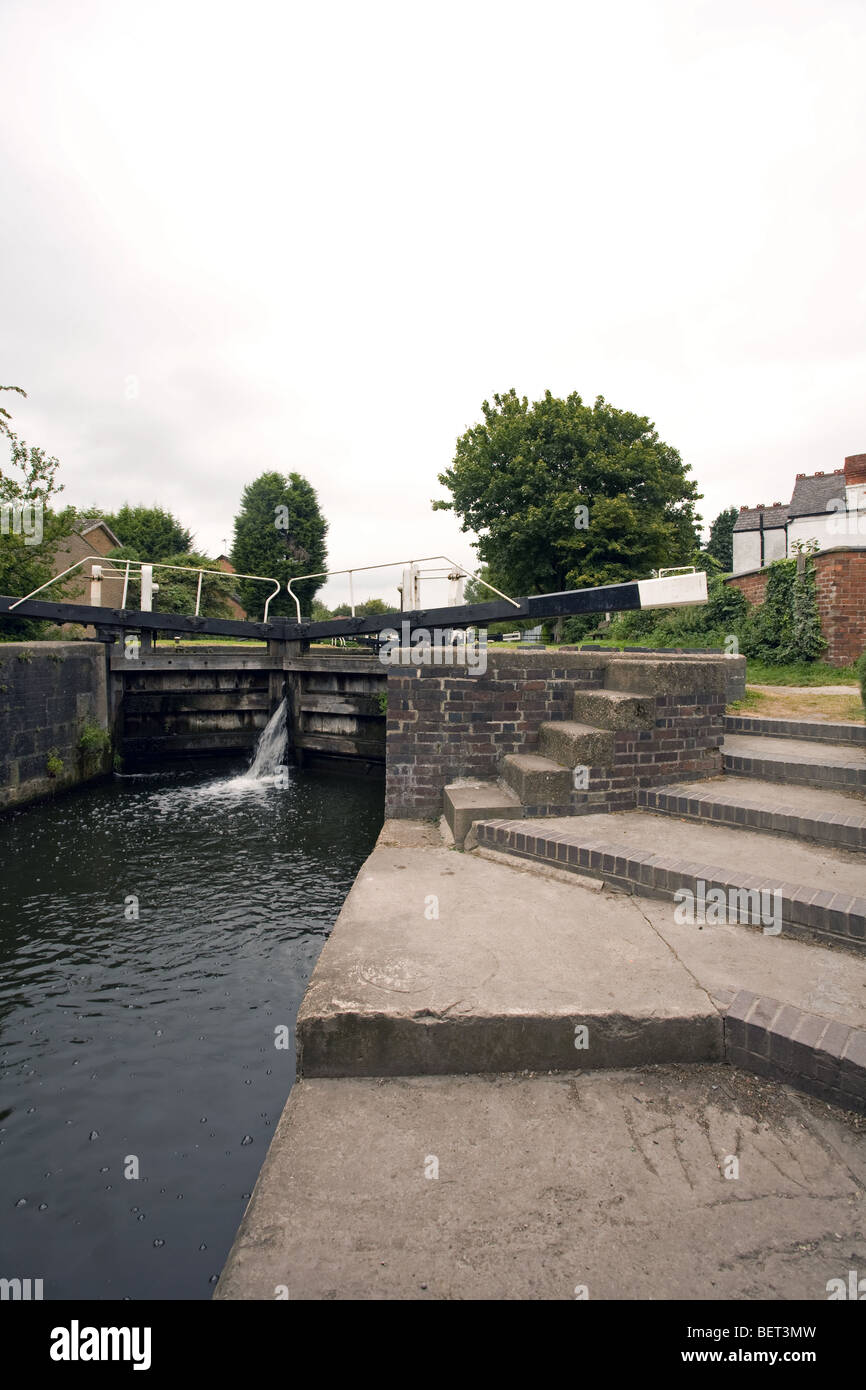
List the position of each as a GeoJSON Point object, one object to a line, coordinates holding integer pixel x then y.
{"type": "Point", "coordinates": [712, 851]}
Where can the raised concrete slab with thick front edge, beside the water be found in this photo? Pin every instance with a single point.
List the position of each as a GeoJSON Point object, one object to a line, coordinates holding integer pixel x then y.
{"type": "Point", "coordinates": [444, 963]}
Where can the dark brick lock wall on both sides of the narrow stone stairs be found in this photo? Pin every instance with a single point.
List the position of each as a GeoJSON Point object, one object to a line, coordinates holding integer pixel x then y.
{"type": "Point", "coordinates": [444, 726]}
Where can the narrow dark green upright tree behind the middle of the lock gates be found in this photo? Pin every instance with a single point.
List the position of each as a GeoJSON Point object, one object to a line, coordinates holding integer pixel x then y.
{"type": "Point", "coordinates": [280, 532]}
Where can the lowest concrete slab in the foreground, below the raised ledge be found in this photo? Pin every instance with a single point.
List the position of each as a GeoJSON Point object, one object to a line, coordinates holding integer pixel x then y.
{"type": "Point", "coordinates": [610, 1186]}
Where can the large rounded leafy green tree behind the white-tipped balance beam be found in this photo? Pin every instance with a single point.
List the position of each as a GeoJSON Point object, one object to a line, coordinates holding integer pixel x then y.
{"type": "Point", "coordinates": [565, 496]}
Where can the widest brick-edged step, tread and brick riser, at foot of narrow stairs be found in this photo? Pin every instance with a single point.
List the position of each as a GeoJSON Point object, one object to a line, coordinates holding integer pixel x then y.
{"type": "Point", "coordinates": [657, 857]}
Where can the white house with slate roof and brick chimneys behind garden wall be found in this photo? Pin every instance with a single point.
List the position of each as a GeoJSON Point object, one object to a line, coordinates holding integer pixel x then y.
{"type": "Point", "coordinates": [829, 508]}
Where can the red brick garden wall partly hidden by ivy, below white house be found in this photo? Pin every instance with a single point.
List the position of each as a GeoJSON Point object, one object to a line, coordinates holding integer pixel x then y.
{"type": "Point", "coordinates": [840, 578]}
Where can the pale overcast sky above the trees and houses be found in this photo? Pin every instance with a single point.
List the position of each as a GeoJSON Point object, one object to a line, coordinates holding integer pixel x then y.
{"type": "Point", "coordinates": [316, 237]}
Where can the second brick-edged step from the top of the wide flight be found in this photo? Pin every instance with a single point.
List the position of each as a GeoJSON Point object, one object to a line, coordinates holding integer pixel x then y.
{"type": "Point", "coordinates": [796, 761]}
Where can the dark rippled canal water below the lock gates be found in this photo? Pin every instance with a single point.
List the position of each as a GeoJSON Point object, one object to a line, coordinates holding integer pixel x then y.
{"type": "Point", "coordinates": [156, 1038]}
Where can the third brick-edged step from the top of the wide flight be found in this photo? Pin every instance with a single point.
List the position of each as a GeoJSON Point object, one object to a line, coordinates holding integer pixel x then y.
{"type": "Point", "coordinates": [826, 818]}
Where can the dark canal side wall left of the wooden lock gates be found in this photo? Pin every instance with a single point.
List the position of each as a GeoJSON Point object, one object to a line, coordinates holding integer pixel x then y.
{"type": "Point", "coordinates": [48, 693]}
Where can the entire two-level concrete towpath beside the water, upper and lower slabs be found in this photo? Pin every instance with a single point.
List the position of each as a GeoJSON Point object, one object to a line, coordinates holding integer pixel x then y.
{"type": "Point", "coordinates": [455, 1135]}
